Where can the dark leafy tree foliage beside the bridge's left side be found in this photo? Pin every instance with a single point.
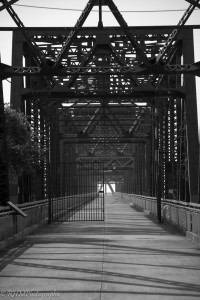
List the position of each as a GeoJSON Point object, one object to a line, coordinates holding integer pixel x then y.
{"type": "Point", "coordinates": [24, 150]}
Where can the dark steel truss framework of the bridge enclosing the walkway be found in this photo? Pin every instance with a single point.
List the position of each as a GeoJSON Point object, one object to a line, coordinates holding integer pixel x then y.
{"type": "Point", "coordinates": [122, 96]}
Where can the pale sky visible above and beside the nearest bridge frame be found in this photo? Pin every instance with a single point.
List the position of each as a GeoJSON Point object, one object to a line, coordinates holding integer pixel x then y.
{"type": "Point", "coordinates": [65, 13]}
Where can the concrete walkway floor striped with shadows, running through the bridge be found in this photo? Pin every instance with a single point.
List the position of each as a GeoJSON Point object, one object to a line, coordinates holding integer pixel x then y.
{"type": "Point", "coordinates": [126, 257]}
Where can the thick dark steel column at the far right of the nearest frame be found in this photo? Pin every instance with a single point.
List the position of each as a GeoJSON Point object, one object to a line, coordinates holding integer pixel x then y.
{"type": "Point", "coordinates": [191, 117]}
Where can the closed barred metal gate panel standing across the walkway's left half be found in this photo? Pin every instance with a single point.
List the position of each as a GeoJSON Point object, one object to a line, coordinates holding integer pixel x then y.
{"type": "Point", "coordinates": [76, 192]}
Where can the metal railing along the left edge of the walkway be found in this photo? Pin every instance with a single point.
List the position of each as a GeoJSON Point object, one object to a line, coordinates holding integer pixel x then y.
{"type": "Point", "coordinates": [13, 226]}
